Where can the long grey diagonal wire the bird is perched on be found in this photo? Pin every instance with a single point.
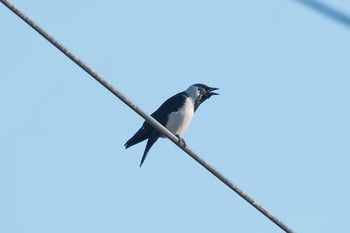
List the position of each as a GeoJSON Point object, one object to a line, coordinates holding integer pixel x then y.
{"type": "Point", "coordinates": [144, 115]}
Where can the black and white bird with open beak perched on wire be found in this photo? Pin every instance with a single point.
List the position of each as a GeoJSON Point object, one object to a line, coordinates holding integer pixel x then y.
{"type": "Point", "coordinates": [175, 114]}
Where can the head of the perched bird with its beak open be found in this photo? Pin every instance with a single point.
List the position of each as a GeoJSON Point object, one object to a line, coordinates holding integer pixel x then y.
{"type": "Point", "coordinates": [200, 92]}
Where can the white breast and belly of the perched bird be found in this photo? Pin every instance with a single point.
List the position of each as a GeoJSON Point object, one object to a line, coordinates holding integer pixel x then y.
{"type": "Point", "coordinates": [179, 121]}
